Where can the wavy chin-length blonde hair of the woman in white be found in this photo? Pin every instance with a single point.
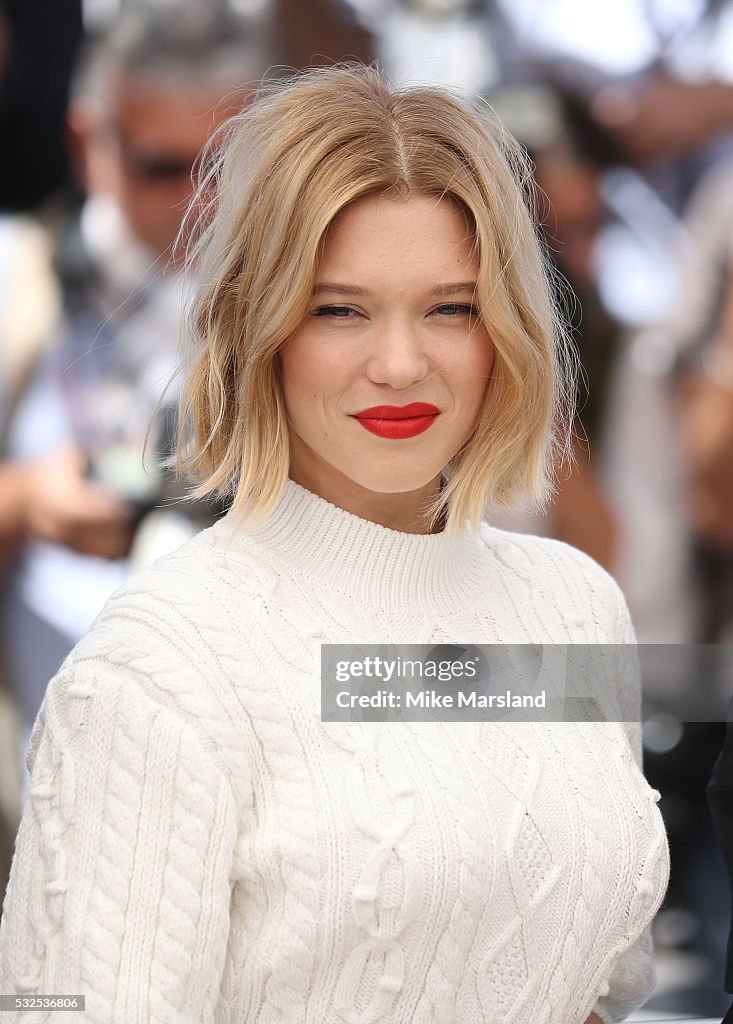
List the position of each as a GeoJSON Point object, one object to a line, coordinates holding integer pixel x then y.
{"type": "Point", "coordinates": [304, 151]}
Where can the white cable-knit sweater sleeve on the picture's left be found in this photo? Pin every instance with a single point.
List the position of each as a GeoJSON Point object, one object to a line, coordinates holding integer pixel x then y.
{"type": "Point", "coordinates": [120, 885]}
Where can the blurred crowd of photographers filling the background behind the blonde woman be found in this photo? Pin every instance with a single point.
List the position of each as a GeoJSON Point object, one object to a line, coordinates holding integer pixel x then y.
{"type": "Point", "coordinates": [626, 108]}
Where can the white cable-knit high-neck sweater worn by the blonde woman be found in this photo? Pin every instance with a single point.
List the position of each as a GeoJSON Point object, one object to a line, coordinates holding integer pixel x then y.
{"type": "Point", "coordinates": [198, 846]}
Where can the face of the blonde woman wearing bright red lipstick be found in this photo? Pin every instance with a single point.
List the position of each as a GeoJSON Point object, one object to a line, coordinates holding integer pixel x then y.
{"type": "Point", "coordinates": [385, 378]}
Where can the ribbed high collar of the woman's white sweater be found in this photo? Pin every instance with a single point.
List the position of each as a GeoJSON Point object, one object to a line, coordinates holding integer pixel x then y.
{"type": "Point", "coordinates": [379, 568]}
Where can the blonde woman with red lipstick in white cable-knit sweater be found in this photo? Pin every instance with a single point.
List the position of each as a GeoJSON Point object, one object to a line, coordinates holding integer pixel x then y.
{"type": "Point", "coordinates": [199, 846]}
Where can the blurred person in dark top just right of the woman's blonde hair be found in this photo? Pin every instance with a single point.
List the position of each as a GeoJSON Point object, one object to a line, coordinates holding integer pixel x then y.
{"type": "Point", "coordinates": [573, 215]}
